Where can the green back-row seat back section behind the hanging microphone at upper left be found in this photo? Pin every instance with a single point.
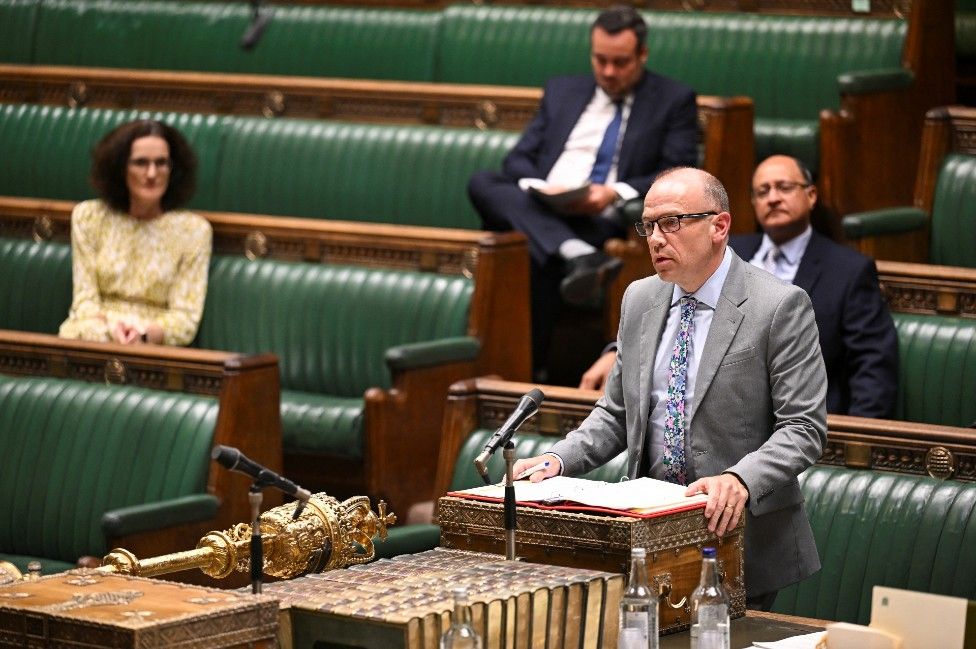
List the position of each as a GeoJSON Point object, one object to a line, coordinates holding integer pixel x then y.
{"type": "Point", "coordinates": [297, 40]}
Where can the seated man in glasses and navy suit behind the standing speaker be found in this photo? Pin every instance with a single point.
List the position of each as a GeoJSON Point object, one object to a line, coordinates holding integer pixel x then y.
{"type": "Point", "coordinates": [857, 335]}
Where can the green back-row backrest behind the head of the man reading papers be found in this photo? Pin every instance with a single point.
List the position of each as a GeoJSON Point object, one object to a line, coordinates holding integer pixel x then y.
{"type": "Point", "coordinates": [787, 64]}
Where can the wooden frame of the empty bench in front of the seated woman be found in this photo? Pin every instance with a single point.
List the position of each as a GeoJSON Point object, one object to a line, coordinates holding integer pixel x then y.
{"type": "Point", "coordinates": [245, 387]}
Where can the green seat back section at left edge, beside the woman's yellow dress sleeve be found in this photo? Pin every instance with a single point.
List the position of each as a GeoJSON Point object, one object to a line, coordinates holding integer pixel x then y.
{"type": "Point", "coordinates": [35, 285]}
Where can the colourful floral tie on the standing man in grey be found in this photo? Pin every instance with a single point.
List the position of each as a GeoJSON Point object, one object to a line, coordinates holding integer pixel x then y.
{"type": "Point", "coordinates": [674, 416]}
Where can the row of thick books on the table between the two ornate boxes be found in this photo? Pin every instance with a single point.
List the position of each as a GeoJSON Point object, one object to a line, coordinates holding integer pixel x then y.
{"type": "Point", "coordinates": [405, 603]}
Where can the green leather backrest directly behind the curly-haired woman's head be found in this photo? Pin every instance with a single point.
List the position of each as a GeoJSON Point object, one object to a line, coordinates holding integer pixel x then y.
{"type": "Point", "coordinates": [413, 175]}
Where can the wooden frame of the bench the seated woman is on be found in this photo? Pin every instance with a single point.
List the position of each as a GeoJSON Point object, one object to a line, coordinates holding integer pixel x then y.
{"type": "Point", "coordinates": [410, 412]}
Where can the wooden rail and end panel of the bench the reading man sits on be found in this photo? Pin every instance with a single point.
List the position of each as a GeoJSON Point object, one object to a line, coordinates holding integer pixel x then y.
{"type": "Point", "coordinates": [725, 122]}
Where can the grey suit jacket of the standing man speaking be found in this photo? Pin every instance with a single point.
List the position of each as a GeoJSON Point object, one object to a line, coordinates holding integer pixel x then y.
{"type": "Point", "coordinates": [760, 412]}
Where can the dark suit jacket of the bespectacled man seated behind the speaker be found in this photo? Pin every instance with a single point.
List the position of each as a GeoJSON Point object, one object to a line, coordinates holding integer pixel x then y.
{"type": "Point", "coordinates": [857, 334]}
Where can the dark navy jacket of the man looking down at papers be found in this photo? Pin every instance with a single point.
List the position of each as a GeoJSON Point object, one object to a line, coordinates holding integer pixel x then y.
{"type": "Point", "coordinates": [662, 130]}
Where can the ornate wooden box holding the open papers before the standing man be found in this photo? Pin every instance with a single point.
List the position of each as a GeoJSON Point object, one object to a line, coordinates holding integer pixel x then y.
{"type": "Point", "coordinates": [598, 542]}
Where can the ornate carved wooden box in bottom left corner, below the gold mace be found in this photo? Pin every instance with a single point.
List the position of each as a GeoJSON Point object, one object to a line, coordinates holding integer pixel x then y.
{"type": "Point", "coordinates": [85, 608]}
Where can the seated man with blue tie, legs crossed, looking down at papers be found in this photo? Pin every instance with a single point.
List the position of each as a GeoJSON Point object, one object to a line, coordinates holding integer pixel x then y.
{"type": "Point", "coordinates": [607, 134]}
